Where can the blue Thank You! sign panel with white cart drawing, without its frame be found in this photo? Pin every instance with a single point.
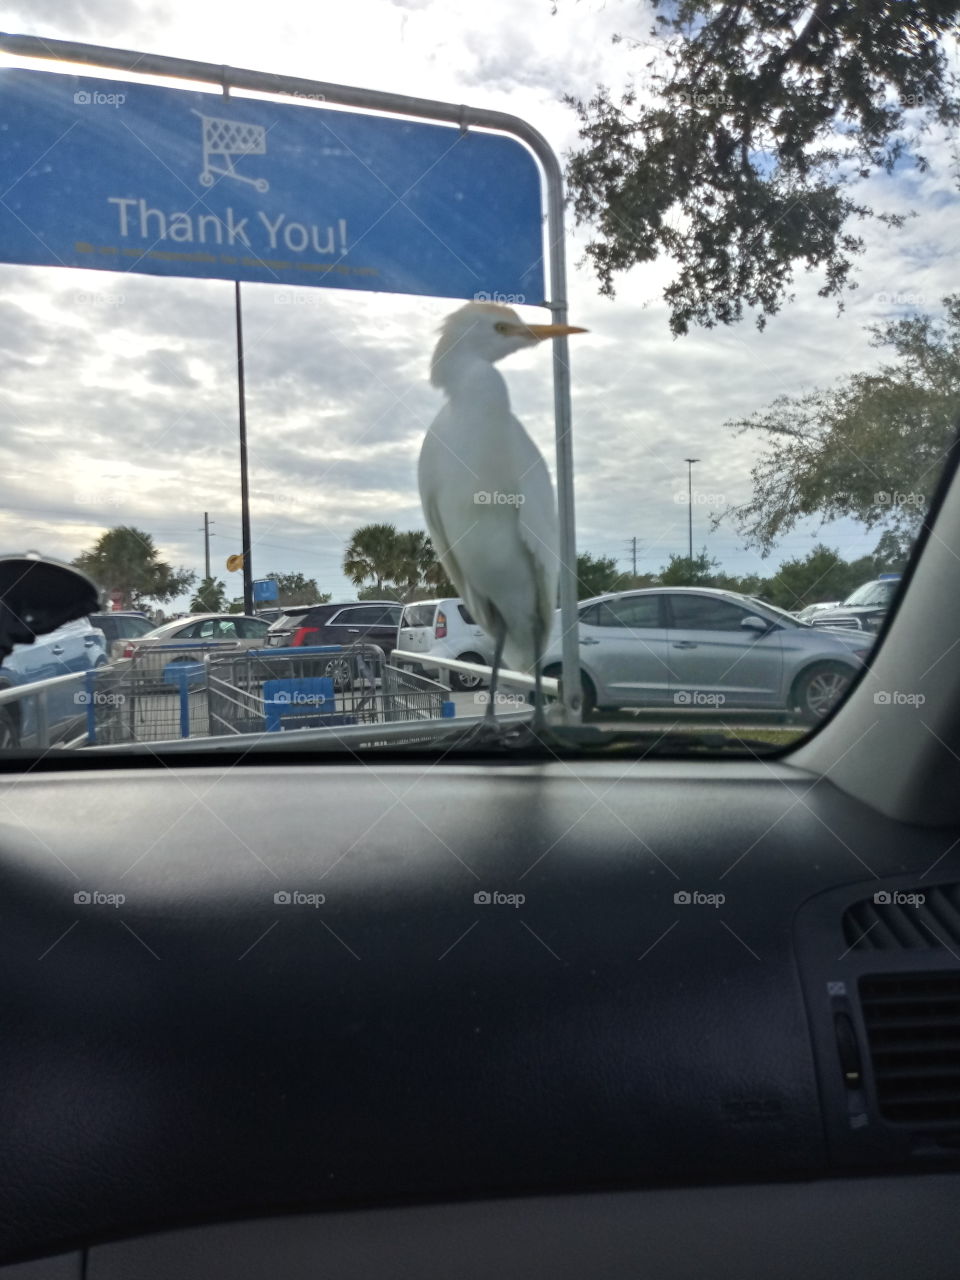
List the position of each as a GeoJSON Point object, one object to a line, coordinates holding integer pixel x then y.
{"type": "Point", "coordinates": [127, 177]}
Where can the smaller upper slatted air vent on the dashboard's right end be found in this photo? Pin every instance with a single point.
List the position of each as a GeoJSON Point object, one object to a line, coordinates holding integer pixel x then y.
{"type": "Point", "coordinates": [921, 920]}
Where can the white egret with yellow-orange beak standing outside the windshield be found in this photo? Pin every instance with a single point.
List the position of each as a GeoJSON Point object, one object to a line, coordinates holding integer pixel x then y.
{"type": "Point", "coordinates": [486, 490]}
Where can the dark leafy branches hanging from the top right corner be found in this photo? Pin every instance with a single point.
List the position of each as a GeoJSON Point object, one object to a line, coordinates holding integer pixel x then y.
{"type": "Point", "coordinates": [766, 115]}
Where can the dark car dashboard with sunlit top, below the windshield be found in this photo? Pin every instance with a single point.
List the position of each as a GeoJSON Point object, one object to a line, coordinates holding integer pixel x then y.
{"type": "Point", "coordinates": [429, 1018]}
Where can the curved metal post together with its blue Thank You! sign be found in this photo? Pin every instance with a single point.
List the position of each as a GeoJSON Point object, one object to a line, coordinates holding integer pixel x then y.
{"type": "Point", "coordinates": [499, 249]}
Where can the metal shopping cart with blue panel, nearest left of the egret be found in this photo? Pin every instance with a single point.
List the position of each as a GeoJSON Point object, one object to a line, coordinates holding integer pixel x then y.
{"type": "Point", "coordinates": [317, 687]}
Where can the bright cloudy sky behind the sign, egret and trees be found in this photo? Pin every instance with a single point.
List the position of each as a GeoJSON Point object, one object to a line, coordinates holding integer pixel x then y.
{"type": "Point", "coordinates": [120, 403]}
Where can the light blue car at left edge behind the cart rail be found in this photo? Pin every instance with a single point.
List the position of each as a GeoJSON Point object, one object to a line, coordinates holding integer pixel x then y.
{"type": "Point", "coordinates": [71, 648]}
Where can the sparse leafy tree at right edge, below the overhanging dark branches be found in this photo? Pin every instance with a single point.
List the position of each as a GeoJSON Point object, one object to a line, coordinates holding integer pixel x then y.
{"type": "Point", "coordinates": [871, 447]}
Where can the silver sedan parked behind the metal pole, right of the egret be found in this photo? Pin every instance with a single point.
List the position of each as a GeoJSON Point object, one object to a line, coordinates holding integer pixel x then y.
{"type": "Point", "coordinates": [707, 650]}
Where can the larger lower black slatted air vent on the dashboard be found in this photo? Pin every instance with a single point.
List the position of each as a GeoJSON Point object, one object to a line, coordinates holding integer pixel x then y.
{"type": "Point", "coordinates": [913, 1030]}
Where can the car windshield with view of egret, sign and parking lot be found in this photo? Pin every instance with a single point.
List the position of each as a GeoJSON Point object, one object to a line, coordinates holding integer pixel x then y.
{"type": "Point", "coordinates": [684, 344]}
